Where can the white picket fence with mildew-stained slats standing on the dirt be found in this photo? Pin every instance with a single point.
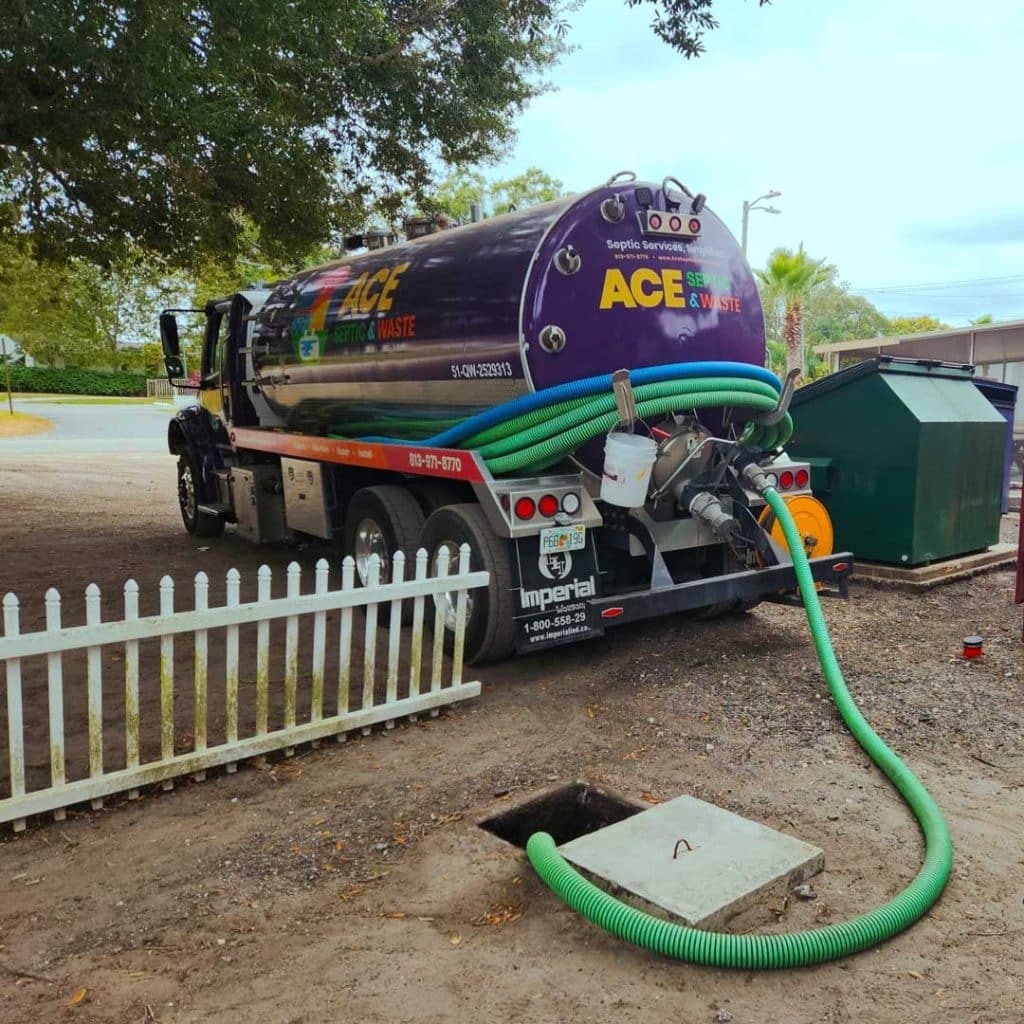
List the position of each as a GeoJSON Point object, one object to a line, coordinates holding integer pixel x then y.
{"type": "Point", "coordinates": [54, 643]}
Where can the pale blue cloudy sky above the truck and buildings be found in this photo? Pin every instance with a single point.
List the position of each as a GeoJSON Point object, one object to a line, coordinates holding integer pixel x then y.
{"type": "Point", "coordinates": [894, 132]}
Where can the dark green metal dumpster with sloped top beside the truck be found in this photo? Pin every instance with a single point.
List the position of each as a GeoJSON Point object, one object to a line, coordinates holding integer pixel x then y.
{"type": "Point", "coordinates": [908, 457]}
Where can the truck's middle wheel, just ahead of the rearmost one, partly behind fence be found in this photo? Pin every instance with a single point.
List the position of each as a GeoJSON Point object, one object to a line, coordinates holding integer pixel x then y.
{"type": "Point", "coordinates": [380, 522]}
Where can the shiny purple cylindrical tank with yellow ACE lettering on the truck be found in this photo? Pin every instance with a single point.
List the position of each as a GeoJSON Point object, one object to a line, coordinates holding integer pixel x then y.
{"type": "Point", "coordinates": [408, 339]}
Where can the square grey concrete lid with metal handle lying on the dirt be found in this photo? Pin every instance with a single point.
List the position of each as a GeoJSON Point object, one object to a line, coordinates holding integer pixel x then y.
{"type": "Point", "coordinates": [731, 864]}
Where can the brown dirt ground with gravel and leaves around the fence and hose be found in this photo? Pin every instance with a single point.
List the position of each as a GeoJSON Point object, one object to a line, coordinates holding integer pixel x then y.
{"type": "Point", "coordinates": [353, 883]}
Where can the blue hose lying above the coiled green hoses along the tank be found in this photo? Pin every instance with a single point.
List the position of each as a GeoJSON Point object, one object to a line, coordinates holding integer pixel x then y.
{"type": "Point", "coordinates": [581, 390]}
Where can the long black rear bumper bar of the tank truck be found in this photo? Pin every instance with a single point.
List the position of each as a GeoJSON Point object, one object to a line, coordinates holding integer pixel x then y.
{"type": "Point", "coordinates": [762, 584]}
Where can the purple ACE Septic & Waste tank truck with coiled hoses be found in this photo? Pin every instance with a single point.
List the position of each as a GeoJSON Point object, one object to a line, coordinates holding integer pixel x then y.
{"type": "Point", "coordinates": [577, 391]}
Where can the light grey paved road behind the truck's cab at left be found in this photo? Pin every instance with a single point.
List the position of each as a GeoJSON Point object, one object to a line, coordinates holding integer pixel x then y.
{"type": "Point", "coordinates": [94, 429]}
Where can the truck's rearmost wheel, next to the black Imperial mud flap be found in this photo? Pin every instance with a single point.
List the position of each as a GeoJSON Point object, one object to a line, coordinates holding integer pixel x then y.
{"type": "Point", "coordinates": [490, 623]}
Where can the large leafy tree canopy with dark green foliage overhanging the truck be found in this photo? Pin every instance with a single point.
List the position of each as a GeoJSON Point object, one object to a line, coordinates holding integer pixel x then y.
{"type": "Point", "coordinates": [173, 126]}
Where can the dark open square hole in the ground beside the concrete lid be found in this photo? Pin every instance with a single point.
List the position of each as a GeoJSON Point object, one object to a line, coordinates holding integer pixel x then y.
{"type": "Point", "coordinates": [567, 814]}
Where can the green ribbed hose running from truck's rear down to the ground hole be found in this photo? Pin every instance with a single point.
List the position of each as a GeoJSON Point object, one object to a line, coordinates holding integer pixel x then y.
{"type": "Point", "coordinates": [799, 949]}
